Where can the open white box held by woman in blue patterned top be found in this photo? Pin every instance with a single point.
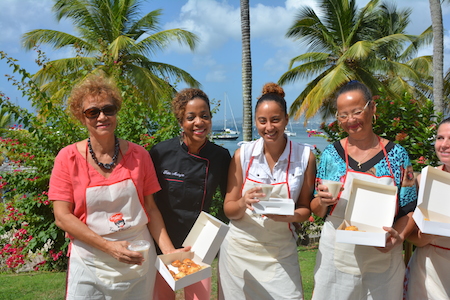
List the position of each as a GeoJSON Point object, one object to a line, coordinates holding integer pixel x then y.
{"type": "Point", "coordinates": [370, 207]}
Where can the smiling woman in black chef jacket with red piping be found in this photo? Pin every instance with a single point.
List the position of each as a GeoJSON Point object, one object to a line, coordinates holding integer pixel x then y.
{"type": "Point", "coordinates": [189, 170]}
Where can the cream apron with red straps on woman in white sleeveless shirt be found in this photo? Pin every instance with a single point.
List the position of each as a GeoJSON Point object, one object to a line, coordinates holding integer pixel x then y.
{"type": "Point", "coordinates": [258, 259]}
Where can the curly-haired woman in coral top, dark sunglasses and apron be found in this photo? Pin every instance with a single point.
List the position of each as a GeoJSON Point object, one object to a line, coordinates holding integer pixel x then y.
{"type": "Point", "coordinates": [101, 190]}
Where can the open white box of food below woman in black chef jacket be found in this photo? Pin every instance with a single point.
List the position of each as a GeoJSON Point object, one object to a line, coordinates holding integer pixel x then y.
{"type": "Point", "coordinates": [205, 239]}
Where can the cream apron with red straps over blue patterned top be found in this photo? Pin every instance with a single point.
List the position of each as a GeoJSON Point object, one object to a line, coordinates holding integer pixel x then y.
{"type": "Point", "coordinates": [348, 271]}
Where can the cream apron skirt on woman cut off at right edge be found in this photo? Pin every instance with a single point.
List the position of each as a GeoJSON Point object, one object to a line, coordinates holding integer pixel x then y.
{"type": "Point", "coordinates": [427, 275]}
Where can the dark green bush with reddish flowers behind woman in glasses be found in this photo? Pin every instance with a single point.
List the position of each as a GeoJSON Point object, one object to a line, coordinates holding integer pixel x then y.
{"type": "Point", "coordinates": [406, 121]}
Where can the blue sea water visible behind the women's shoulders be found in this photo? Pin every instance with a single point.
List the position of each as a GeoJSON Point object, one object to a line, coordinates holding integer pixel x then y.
{"type": "Point", "coordinates": [301, 137]}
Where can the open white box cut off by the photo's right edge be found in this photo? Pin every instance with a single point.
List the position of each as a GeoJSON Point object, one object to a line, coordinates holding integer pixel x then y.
{"type": "Point", "coordinates": [432, 214]}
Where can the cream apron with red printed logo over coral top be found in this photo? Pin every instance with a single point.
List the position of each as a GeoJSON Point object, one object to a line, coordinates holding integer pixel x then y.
{"type": "Point", "coordinates": [114, 212]}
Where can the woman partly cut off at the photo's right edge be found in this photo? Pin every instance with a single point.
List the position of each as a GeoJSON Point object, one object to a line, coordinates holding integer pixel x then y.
{"type": "Point", "coordinates": [427, 275]}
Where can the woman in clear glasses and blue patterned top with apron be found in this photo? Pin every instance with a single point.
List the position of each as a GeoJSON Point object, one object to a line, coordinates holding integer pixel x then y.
{"type": "Point", "coordinates": [348, 271]}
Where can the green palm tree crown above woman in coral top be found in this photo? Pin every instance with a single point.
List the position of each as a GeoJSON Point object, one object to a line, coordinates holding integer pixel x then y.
{"type": "Point", "coordinates": [112, 38]}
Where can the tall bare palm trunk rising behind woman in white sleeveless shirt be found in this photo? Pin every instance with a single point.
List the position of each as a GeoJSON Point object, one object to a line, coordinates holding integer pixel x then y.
{"type": "Point", "coordinates": [246, 71]}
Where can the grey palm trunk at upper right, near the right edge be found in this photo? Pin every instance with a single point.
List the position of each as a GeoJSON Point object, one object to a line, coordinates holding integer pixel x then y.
{"type": "Point", "coordinates": [438, 55]}
